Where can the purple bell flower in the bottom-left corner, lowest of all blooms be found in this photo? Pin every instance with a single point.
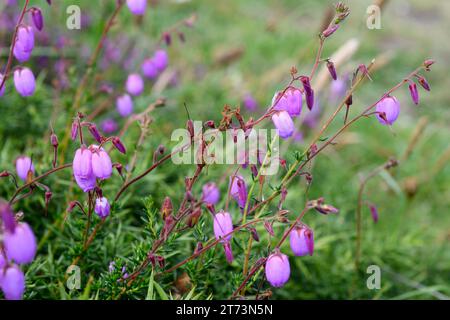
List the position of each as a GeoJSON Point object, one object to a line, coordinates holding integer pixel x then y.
{"type": "Point", "coordinates": [12, 282]}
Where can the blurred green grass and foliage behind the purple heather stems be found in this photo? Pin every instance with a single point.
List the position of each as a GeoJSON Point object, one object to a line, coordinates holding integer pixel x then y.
{"type": "Point", "coordinates": [235, 48]}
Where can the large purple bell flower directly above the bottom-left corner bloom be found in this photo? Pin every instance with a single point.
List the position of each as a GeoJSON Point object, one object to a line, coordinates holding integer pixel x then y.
{"type": "Point", "coordinates": [20, 245]}
